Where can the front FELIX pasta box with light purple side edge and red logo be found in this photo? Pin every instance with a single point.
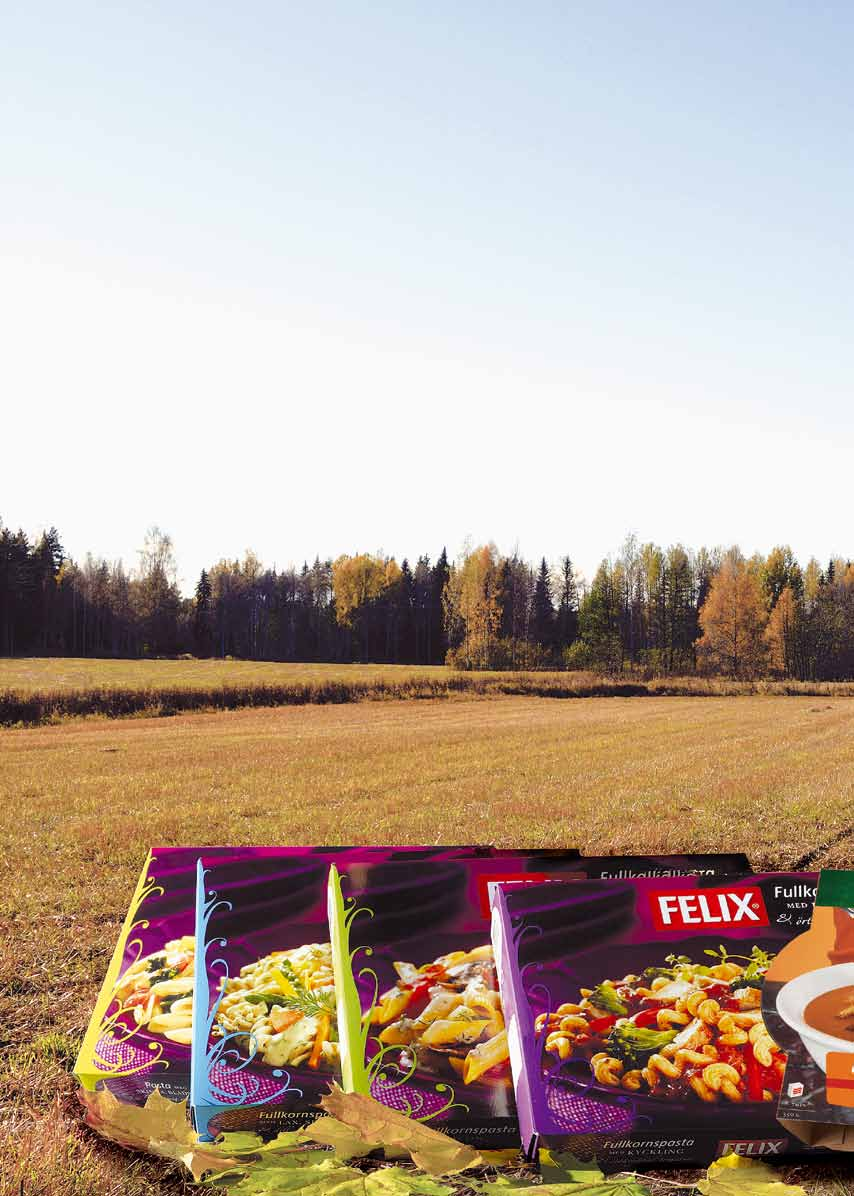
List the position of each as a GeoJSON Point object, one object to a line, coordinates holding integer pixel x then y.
{"type": "Point", "coordinates": [635, 1014]}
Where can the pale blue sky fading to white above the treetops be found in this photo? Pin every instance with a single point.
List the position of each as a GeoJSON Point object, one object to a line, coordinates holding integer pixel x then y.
{"type": "Point", "coordinates": [346, 277]}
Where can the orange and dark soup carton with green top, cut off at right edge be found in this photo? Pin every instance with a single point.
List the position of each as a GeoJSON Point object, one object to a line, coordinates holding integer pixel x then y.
{"type": "Point", "coordinates": [808, 1004]}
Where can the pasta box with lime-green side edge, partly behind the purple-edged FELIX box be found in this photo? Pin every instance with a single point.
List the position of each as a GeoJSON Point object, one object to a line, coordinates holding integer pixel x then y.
{"type": "Point", "coordinates": [428, 1033]}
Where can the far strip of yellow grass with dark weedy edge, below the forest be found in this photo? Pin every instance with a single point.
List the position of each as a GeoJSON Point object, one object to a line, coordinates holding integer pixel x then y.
{"type": "Point", "coordinates": [36, 692]}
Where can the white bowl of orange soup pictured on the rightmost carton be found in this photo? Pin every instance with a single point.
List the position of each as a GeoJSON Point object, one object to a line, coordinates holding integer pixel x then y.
{"type": "Point", "coordinates": [820, 1008]}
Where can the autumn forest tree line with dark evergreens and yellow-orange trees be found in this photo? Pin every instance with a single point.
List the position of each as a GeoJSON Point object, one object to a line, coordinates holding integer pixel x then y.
{"type": "Point", "coordinates": [651, 611]}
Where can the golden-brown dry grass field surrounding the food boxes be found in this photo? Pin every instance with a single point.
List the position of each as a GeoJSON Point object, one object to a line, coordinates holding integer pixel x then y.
{"type": "Point", "coordinates": [83, 801]}
